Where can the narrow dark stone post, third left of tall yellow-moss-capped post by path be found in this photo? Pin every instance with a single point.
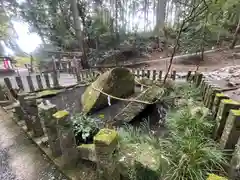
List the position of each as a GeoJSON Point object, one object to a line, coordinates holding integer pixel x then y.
{"type": "Point", "coordinates": [23, 105]}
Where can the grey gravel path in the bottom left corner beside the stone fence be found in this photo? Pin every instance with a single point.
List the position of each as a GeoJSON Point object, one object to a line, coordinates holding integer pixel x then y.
{"type": "Point", "coordinates": [20, 159]}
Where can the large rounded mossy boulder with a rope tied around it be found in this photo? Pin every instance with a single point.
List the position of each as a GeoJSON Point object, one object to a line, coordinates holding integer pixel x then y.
{"type": "Point", "coordinates": [117, 82]}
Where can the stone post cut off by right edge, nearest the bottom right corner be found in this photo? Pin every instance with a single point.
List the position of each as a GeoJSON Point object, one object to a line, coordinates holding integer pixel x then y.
{"type": "Point", "coordinates": [234, 172]}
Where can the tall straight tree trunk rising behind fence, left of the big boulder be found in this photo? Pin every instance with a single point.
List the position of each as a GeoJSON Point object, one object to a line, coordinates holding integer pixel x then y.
{"type": "Point", "coordinates": [77, 24]}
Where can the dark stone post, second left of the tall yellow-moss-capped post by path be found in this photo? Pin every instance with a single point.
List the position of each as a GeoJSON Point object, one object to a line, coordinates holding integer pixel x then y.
{"type": "Point", "coordinates": [32, 110]}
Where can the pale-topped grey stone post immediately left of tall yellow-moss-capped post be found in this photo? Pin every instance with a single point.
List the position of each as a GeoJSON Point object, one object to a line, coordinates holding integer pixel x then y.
{"type": "Point", "coordinates": [46, 111]}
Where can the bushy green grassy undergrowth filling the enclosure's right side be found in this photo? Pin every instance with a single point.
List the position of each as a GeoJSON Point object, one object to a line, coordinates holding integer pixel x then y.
{"type": "Point", "coordinates": [186, 153]}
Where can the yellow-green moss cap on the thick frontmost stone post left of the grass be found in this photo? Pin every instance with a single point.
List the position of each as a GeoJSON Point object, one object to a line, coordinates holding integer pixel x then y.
{"type": "Point", "coordinates": [106, 136]}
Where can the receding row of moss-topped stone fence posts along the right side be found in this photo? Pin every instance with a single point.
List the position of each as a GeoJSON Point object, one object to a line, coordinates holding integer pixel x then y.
{"type": "Point", "coordinates": [226, 113]}
